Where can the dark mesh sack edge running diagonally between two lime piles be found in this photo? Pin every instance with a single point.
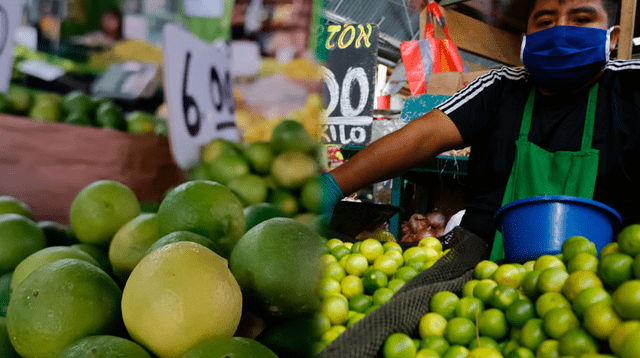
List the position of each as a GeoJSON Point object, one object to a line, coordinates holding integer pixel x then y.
{"type": "Point", "coordinates": [402, 313]}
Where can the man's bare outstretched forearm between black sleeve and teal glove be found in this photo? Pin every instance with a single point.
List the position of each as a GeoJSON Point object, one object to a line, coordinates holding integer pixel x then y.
{"type": "Point", "coordinates": [420, 141]}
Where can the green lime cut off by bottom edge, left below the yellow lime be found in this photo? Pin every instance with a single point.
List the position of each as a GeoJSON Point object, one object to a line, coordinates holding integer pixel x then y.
{"type": "Point", "coordinates": [103, 347]}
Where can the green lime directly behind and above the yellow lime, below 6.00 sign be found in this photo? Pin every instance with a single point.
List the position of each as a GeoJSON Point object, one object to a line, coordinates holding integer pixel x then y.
{"type": "Point", "coordinates": [206, 208]}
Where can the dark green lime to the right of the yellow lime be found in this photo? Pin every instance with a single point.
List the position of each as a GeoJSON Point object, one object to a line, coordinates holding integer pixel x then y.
{"type": "Point", "coordinates": [261, 263]}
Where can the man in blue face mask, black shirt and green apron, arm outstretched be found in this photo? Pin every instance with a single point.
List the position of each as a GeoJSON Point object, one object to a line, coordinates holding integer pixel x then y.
{"type": "Point", "coordinates": [566, 124]}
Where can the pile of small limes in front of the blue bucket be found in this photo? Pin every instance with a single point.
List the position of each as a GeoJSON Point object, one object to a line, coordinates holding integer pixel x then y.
{"type": "Point", "coordinates": [579, 303]}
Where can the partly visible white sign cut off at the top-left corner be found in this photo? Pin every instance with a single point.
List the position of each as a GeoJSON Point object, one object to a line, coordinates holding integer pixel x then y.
{"type": "Point", "coordinates": [10, 16]}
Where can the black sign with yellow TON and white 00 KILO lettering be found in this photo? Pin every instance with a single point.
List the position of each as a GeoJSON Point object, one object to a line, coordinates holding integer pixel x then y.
{"type": "Point", "coordinates": [349, 78]}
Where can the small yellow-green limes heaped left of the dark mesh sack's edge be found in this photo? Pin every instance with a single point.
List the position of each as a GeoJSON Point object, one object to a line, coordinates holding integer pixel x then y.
{"type": "Point", "coordinates": [363, 275]}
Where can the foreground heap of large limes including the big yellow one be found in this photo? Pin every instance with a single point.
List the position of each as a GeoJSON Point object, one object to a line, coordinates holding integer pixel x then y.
{"type": "Point", "coordinates": [180, 282]}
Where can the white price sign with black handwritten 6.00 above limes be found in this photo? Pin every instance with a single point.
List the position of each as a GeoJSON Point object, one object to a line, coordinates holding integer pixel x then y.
{"type": "Point", "coordinates": [197, 79]}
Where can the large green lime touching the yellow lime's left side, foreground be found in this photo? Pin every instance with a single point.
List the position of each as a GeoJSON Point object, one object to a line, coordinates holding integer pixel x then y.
{"type": "Point", "coordinates": [59, 303]}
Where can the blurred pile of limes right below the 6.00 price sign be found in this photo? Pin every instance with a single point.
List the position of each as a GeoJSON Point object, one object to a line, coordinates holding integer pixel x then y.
{"type": "Point", "coordinates": [272, 178]}
